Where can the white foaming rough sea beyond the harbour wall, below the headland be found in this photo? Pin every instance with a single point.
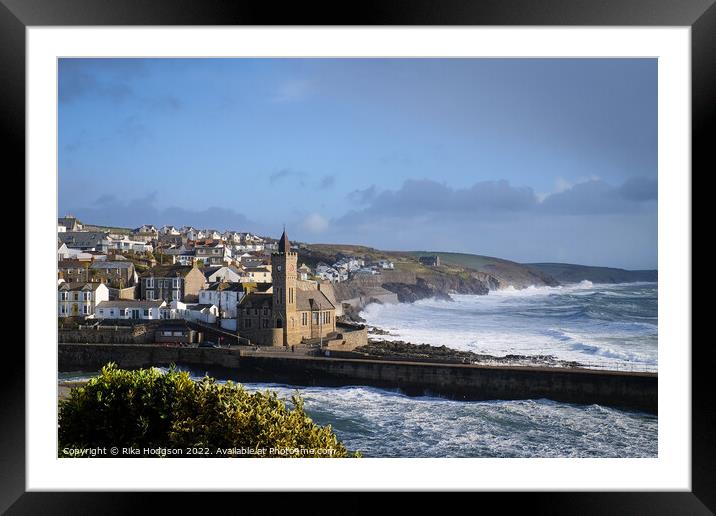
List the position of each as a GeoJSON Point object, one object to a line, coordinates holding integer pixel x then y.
{"type": "Point", "coordinates": [611, 326]}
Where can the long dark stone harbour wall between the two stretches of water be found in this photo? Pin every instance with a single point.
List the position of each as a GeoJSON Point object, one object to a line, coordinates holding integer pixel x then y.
{"type": "Point", "coordinates": [619, 389]}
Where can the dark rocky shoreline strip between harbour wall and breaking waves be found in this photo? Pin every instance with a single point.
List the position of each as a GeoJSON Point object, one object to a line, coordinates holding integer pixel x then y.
{"type": "Point", "coordinates": [401, 350]}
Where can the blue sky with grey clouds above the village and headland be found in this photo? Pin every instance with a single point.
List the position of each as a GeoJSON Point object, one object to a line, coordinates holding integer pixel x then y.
{"type": "Point", "coordinates": [525, 159]}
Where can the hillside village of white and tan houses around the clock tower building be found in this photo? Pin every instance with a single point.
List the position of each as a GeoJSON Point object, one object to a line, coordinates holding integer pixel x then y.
{"type": "Point", "coordinates": [169, 273]}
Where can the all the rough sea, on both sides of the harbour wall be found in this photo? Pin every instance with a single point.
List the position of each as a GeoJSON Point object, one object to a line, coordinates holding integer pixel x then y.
{"type": "Point", "coordinates": [601, 326]}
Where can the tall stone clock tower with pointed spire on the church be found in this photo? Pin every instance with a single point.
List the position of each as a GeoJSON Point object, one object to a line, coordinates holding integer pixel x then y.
{"type": "Point", "coordinates": [283, 272]}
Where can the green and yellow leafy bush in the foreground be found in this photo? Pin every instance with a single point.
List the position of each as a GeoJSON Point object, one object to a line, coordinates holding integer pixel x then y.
{"type": "Point", "coordinates": [147, 408]}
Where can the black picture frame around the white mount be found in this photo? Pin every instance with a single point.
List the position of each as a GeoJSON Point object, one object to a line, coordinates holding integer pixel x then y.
{"type": "Point", "coordinates": [17, 15]}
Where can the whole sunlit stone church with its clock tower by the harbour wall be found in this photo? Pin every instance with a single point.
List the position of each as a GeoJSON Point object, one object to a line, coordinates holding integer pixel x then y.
{"type": "Point", "coordinates": [291, 312]}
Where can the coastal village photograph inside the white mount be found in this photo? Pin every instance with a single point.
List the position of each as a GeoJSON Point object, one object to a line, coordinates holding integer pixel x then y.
{"type": "Point", "coordinates": [357, 257]}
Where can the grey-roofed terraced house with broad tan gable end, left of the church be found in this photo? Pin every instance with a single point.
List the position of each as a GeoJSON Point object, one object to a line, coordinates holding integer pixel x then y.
{"type": "Point", "coordinates": [172, 283]}
